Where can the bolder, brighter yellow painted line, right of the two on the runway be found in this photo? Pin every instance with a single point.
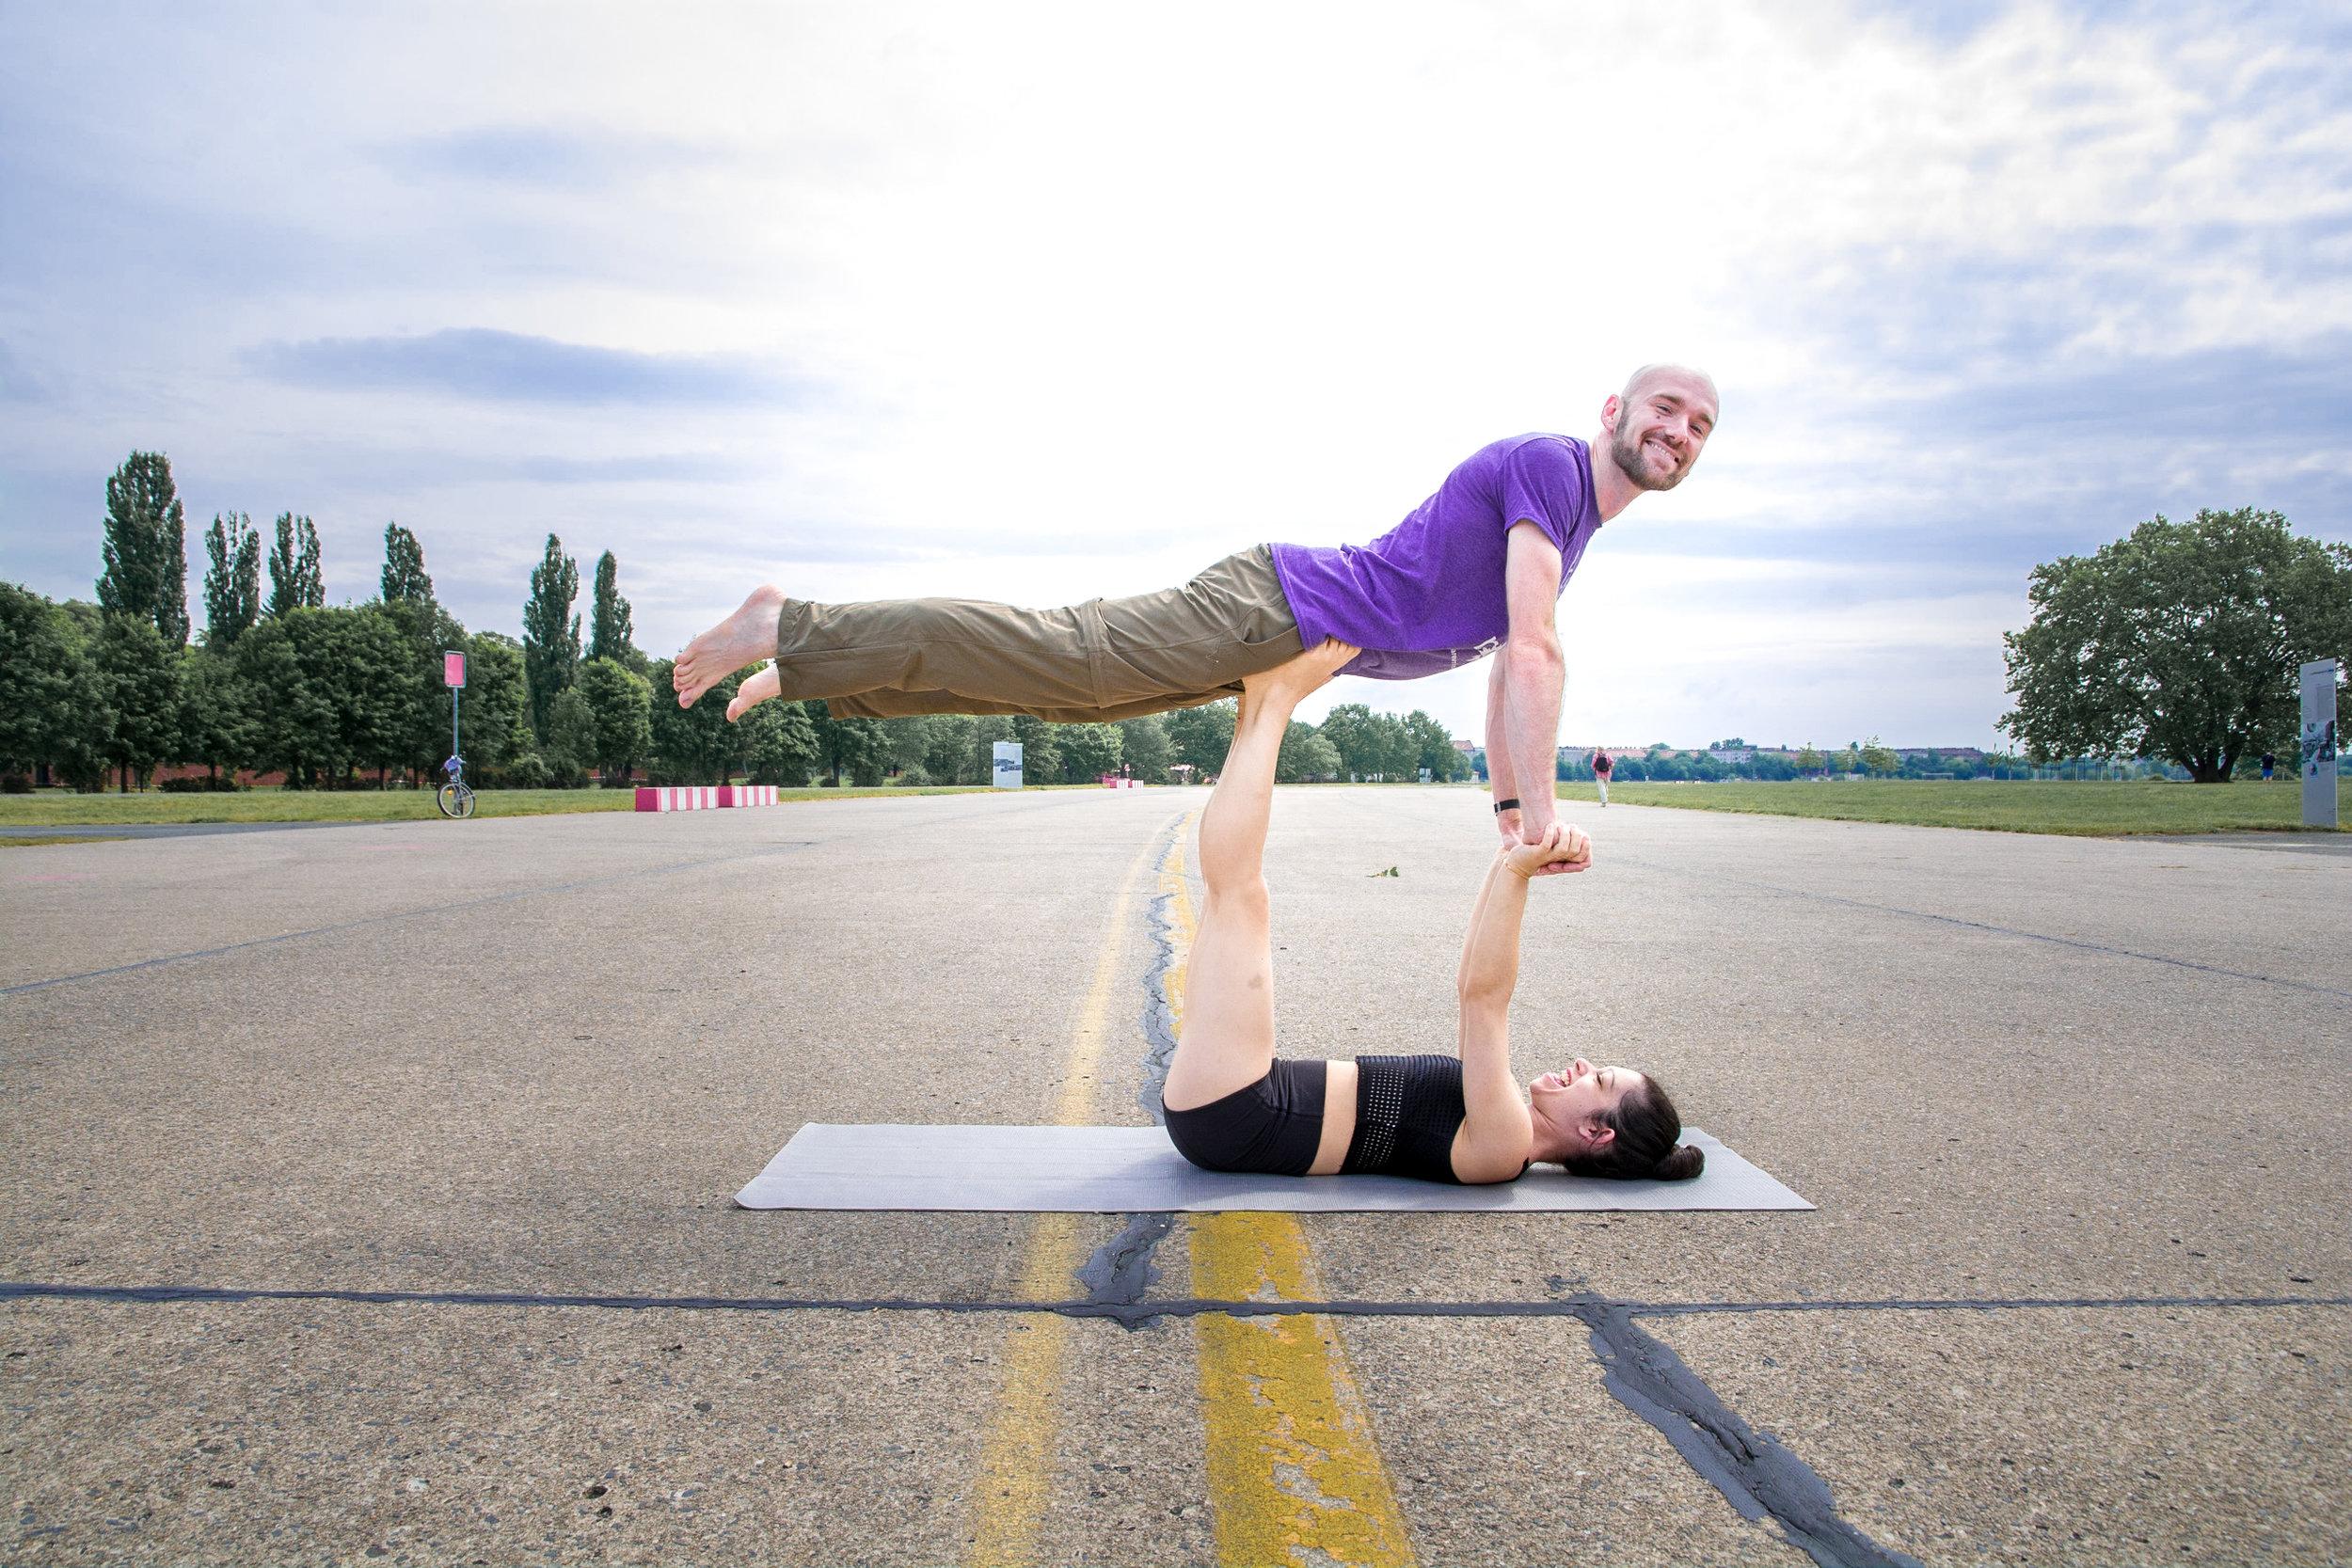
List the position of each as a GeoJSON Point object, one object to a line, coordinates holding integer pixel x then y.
{"type": "Point", "coordinates": [1295, 1468]}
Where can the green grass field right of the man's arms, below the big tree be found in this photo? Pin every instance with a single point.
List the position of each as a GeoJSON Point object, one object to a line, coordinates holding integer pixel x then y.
{"type": "Point", "coordinates": [2097, 810]}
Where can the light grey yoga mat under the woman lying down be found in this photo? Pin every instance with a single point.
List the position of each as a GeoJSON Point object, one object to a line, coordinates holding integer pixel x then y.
{"type": "Point", "coordinates": [1135, 1170]}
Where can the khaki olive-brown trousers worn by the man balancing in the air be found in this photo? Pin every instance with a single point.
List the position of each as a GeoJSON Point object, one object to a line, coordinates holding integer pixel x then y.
{"type": "Point", "coordinates": [1104, 659]}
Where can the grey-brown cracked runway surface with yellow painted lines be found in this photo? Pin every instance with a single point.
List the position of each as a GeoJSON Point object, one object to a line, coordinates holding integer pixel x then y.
{"type": "Point", "coordinates": [368, 1200]}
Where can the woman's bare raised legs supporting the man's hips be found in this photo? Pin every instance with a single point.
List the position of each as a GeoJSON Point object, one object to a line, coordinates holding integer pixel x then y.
{"type": "Point", "coordinates": [1229, 1000]}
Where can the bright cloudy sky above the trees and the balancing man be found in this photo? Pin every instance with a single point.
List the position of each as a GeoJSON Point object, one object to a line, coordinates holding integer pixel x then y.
{"type": "Point", "coordinates": [1045, 302]}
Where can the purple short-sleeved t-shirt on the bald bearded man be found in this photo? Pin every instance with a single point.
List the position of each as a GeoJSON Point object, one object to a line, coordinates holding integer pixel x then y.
{"type": "Point", "coordinates": [1429, 594]}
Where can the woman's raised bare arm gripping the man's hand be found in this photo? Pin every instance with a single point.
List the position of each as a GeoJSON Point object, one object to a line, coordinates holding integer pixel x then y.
{"type": "Point", "coordinates": [1497, 1132]}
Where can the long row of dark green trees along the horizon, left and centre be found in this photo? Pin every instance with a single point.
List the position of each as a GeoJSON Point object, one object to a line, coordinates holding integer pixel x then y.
{"type": "Point", "coordinates": [342, 697]}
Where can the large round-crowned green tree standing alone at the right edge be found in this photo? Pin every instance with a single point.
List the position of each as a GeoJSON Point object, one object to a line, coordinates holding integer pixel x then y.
{"type": "Point", "coordinates": [2179, 641]}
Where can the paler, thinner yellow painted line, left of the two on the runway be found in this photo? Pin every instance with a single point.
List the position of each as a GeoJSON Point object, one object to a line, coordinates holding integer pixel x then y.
{"type": "Point", "coordinates": [1017, 1456]}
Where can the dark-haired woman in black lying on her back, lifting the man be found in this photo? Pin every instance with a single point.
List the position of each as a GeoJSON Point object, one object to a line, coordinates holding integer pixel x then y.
{"type": "Point", "coordinates": [1231, 1106]}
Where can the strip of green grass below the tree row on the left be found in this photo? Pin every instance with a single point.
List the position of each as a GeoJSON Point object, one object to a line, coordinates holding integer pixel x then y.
{"type": "Point", "coordinates": [67, 810]}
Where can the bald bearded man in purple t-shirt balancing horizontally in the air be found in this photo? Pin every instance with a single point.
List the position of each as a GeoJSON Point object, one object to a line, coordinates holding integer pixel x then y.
{"type": "Point", "coordinates": [1474, 570]}
